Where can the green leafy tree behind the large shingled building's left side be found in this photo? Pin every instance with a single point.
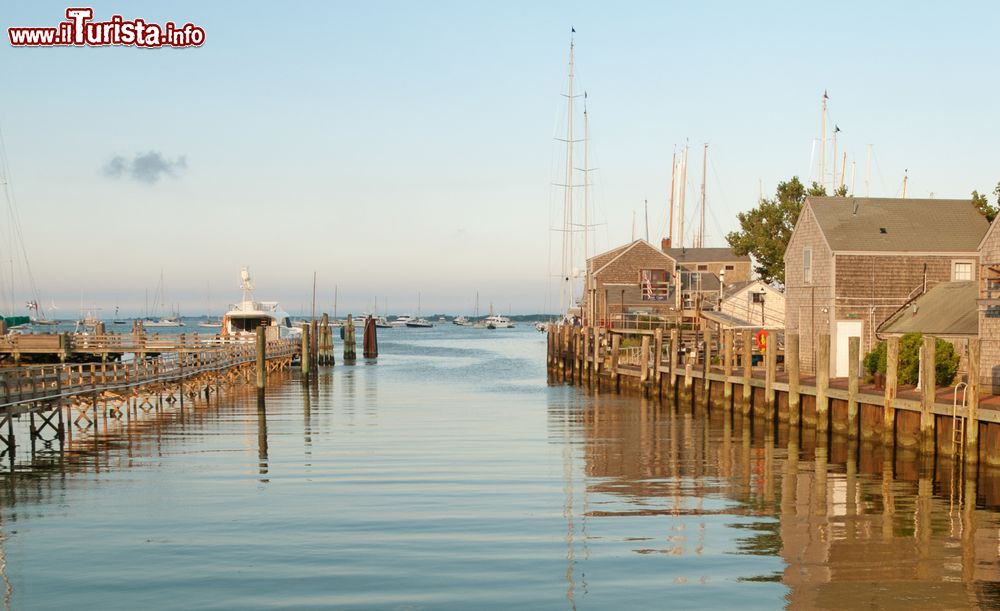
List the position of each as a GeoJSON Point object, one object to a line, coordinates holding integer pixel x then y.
{"type": "Point", "coordinates": [765, 231]}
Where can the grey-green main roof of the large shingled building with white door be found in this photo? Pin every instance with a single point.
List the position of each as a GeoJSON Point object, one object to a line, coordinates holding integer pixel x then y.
{"type": "Point", "coordinates": [899, 225]}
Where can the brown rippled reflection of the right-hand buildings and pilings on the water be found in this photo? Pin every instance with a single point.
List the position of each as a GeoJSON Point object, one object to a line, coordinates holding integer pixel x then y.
{"type": "Point", "coordinates": [848, 524]}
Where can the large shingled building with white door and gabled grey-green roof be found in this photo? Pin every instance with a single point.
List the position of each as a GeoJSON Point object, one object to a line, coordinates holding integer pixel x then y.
{"type": "Point", "coordinates": [853, 262]}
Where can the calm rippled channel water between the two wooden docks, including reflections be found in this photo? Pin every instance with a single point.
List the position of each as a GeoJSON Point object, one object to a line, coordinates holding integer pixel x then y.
{"type": "Point", "coordinates": [452, 475]}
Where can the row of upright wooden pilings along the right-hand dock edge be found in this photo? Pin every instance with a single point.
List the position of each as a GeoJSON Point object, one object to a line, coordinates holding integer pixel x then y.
{"type": "Point", "coordinates": [584, 355]}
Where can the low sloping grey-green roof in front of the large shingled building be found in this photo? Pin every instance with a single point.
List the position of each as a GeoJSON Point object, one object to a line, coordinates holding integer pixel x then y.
{"type": "Point", "coordinates": [949, 308]}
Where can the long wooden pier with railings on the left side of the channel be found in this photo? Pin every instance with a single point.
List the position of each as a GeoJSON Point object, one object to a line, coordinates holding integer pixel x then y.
{"type": "Point", "coordinates": [128, 374]}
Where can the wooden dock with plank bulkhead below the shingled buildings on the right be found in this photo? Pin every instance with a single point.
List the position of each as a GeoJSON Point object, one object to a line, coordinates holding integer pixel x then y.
{"type": "Point", "coordinates": [723, 370]}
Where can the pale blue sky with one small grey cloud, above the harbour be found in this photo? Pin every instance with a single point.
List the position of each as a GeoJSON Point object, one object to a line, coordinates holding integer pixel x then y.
{"type": "Point", "coordinates": [405, 152]}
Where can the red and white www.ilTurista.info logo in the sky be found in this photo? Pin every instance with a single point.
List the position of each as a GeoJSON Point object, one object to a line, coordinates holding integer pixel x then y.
{"type": "Point", "coordinates": [80, 30]}
